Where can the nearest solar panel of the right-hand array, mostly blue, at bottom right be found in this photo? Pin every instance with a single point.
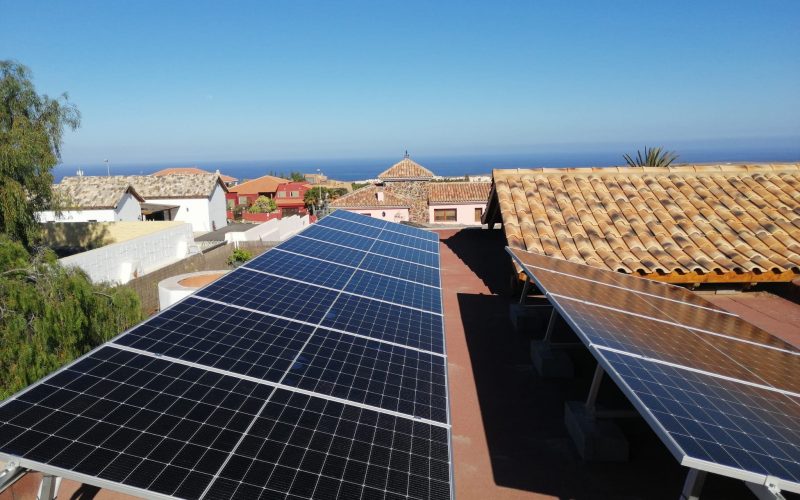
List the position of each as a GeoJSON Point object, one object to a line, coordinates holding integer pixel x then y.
{"type": "Point", "coordinates": [717, 420]}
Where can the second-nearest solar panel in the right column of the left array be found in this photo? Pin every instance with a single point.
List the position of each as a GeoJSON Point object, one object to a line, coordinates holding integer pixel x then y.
{"type": "Point", "coordinates": [373, 373]}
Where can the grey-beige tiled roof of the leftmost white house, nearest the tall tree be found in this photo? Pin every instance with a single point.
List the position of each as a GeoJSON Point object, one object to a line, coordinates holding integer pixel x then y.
{"type": "Point", "coordinates": [93, 193]}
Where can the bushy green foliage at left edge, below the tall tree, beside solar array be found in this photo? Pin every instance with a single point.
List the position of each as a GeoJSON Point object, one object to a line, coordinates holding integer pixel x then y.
{"type": "Point", "coordinates": [50, 315]}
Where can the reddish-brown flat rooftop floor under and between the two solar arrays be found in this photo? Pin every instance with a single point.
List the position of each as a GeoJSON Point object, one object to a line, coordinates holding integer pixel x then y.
{"type": "Point", "coordinates": [509, 437]}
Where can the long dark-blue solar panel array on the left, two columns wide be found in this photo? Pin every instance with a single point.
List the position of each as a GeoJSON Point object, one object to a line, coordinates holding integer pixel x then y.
{"type": "Point", "coordinates": [316, 370]}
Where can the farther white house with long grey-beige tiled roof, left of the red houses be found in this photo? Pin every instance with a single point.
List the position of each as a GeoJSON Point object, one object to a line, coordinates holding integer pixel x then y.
{"type": "Point", "coordinates": [198, 199]}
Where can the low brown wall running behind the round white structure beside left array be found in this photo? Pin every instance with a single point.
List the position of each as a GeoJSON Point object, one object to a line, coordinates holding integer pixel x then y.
{"type": "Point", "coordinates": [146, 287]}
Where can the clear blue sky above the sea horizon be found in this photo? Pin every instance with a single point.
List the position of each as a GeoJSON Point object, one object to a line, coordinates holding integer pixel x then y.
{"type": "Point", "coordinates": [177, 81]}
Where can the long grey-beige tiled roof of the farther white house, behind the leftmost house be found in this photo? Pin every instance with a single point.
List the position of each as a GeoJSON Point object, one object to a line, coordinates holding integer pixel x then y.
{"type": "Point", "coordinates": [168, 186]}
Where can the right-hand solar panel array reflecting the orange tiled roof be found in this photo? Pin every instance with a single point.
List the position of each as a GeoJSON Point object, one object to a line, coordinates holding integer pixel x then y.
{"type": "Point", "coordinates": [721, 393]}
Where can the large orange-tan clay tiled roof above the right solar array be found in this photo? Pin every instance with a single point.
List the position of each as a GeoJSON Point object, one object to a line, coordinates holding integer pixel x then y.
{"type": "Point", "coordinates": [704, 223]}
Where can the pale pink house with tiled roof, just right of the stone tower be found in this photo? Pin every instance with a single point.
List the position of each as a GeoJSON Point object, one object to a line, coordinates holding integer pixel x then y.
{"type": "Point", "coordinates": [457, 202]}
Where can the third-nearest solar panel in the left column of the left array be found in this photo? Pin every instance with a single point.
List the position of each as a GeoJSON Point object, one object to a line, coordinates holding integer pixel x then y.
{"type": "Point", "coordinates": [273, 295]}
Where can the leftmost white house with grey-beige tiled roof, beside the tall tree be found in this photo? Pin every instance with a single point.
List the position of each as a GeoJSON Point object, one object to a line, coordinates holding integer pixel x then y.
{"type": "Point", "coordinates": [98, 199]}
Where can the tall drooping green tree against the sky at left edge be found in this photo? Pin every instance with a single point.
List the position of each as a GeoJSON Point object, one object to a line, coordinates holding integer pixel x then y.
{"type": "Point", "coordinates": [31, 132]}
